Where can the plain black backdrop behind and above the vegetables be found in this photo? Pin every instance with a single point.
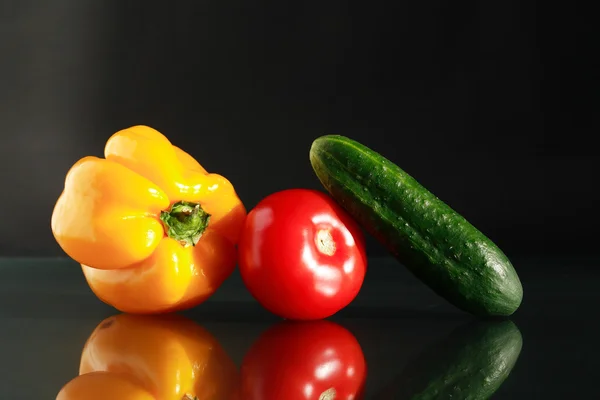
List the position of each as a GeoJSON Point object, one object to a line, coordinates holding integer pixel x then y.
{"type": "Point", "coordinates": [487, 104]}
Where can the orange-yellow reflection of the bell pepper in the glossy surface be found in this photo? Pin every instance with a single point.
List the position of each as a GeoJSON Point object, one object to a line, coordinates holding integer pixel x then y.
{"type": "Point", "coordinates": [160, 358]}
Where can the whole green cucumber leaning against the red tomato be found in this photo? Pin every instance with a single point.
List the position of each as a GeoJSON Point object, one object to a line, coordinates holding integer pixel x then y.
{"type": "Point", "coordinates": [439, 246]}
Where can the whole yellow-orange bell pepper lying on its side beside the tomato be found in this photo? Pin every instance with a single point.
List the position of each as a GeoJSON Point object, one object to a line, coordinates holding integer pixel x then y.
{"type": "Point", "coordinates": [153, 230]}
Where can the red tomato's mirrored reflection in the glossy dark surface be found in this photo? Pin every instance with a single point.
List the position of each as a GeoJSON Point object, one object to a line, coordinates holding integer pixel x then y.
{"type": "Point", "coordinates": [317, 360]}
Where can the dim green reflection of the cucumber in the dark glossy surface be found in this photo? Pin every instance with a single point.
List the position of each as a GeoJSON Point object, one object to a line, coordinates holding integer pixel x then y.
{"type": "Point", "coordinates": [470, 364]}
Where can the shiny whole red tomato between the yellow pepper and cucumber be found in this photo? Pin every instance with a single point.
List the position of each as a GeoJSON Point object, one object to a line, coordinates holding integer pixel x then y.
{"type": "Point", "coordinates": [301, 255]}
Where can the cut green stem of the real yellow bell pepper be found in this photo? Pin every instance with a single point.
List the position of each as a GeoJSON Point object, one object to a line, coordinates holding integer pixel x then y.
{"type": "Point", "coordinates": [185, 222]}
